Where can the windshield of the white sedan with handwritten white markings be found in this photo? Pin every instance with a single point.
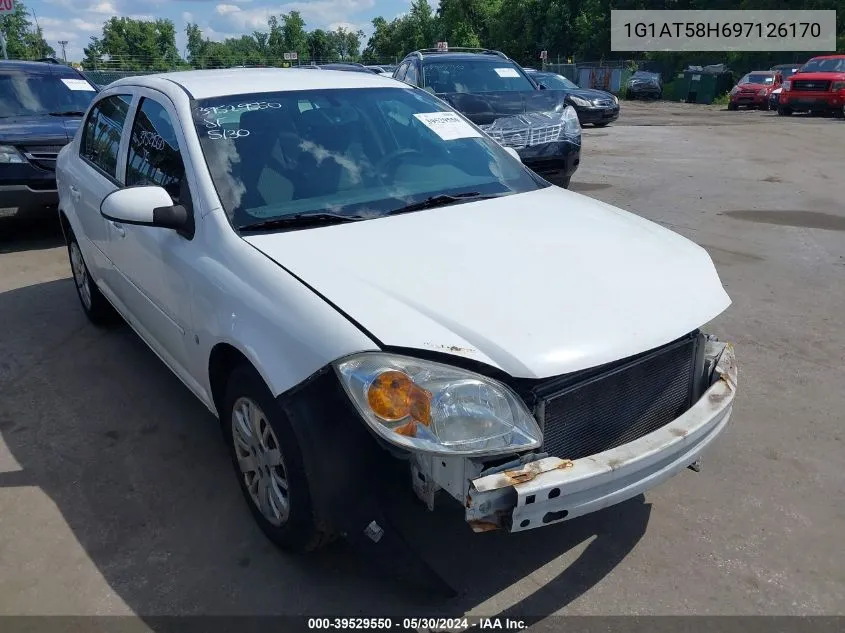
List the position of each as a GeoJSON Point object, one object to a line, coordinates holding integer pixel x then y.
{"type": "Point", "coordinates": [359, 152]}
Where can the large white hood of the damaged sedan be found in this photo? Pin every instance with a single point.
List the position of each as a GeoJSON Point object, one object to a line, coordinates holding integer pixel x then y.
{"type": "Point", "coordinates": [536, 284]}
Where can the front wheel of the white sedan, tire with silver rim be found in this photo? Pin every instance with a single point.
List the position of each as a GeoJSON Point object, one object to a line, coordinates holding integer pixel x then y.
{"type": "Point", "coordinates": [293, 528]}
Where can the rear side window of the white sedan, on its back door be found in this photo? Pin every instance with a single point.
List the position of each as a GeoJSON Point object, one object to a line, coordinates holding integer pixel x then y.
{"type": "Point", "coordinates": [101, 136]}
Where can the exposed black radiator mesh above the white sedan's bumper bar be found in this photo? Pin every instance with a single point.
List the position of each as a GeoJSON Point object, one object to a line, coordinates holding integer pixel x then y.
{"type": "Point", "coordinates": [622, 404]}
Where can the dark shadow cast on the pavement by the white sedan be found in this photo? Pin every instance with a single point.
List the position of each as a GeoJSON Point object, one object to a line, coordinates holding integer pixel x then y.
{"type": "Point", "coordinates": [140, 474]}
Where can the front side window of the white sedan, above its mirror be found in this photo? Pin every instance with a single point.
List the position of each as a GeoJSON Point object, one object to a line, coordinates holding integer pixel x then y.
{"type": "Point", "coordinates": [154, 157]}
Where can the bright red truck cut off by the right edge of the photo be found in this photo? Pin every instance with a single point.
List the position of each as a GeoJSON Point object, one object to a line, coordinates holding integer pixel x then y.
{"type": "Point", "coordinates": [819, 86]}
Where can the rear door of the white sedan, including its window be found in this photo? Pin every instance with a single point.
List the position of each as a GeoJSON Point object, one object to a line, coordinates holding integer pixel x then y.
{"type": "Point", "coordinates": [94, 175]}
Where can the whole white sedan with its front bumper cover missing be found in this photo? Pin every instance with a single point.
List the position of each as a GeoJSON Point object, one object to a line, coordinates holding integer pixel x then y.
{"type": "Point", "coordinates": [355, 279]}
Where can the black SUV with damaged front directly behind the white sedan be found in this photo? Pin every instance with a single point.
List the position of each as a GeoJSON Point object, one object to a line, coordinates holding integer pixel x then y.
{"type": "Point", "coordinates": [496, 94]}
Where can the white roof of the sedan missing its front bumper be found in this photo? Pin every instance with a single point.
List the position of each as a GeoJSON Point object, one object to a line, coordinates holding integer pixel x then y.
{"type": "Point", "coordinates": [204, 84]}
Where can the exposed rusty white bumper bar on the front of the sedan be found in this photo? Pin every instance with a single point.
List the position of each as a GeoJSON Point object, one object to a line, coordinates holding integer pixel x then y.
{"type": "Point", "coordinates": [538, 490]}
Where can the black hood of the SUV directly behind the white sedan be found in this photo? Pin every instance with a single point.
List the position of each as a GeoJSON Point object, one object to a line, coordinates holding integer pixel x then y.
{"type": "Point", "coordinates": [485, 107]}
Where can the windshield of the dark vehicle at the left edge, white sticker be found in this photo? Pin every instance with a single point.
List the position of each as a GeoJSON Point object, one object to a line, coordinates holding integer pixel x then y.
{"type": "Point", "coordinates": [24, 94]}
